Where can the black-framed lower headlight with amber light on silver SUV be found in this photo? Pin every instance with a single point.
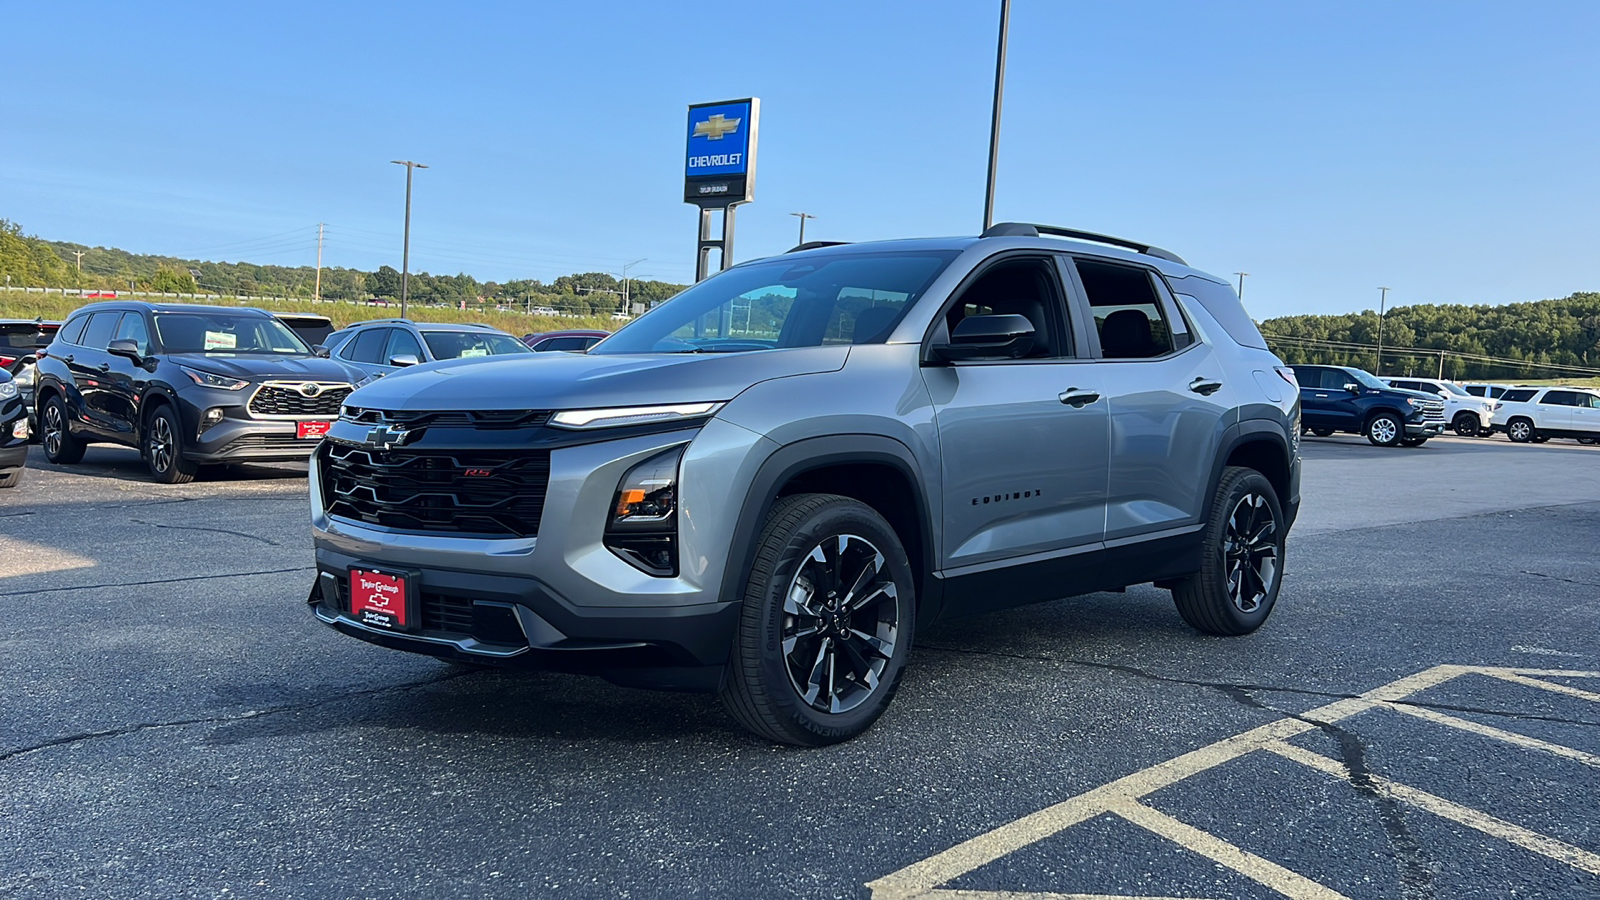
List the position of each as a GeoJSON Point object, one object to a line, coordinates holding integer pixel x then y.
{"type": "Point", "coordinates": [644, 518]}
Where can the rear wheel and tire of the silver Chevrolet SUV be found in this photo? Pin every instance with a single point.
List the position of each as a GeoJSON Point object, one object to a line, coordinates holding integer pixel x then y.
{"type": "Point", "coordinates": [1242, 563]}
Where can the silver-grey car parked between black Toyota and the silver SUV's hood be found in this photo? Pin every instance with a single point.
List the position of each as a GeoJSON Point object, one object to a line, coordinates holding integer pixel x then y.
{"type": "Point", "coordinates": [386, 345]}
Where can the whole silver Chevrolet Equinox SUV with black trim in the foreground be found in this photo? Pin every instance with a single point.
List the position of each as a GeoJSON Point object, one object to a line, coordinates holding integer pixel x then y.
{"type": "Point", "coordinates": [764, 486]}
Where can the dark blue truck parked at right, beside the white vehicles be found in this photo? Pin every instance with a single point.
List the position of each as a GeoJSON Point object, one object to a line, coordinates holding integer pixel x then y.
{"type": "Point", "coordinates": [1337, 398]}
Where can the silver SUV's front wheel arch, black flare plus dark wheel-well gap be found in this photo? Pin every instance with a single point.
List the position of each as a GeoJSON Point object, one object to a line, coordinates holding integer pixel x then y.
{"type": "Point", "coordinates": [874, 470]}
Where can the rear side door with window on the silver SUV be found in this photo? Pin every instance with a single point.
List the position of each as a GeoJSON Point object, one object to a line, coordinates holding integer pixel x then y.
{"type": "Point", "coordinates": [1169, 398]}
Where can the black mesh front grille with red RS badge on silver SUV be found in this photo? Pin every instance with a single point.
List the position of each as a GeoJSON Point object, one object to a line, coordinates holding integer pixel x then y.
{"type": "Point", "coordinates": [434, 492]}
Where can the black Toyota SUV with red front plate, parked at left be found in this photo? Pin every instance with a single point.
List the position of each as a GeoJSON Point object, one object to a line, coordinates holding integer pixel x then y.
{"type": "Point", "coordinates": [186, 385]}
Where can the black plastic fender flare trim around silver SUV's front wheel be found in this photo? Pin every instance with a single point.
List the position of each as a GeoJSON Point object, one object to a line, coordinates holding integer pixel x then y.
{"type": "Point", "coordinates": [810, 454]}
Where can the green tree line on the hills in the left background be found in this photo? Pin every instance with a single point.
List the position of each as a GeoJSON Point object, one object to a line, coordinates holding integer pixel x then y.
{"type": "Point", "coordinates": [33, 262]}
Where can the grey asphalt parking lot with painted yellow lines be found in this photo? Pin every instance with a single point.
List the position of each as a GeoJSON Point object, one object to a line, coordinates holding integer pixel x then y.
{"type": "Point", "coordinates": [1420, 718]}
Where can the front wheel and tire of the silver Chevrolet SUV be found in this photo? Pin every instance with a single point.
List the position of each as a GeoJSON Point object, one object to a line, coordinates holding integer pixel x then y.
{"type": "Point", "coordinates": [783, 672]}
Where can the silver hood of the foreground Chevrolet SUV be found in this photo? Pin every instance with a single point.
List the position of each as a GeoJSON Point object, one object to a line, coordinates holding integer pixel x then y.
{"type": "Point", "coordinates": [570, 382]}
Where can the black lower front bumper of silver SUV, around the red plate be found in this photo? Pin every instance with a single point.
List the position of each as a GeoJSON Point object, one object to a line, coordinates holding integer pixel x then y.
{"type": "Point", "coordinates": [518, 622]}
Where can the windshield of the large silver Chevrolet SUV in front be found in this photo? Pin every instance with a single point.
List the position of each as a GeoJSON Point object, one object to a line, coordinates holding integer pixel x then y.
{"type": "Point", "coordinates": [854, 299]}
